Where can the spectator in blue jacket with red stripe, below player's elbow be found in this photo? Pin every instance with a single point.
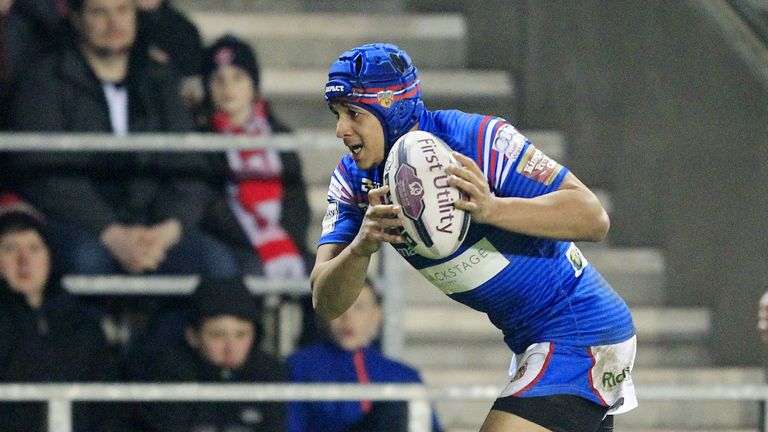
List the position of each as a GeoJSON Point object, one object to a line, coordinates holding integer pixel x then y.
{"type": "Point", "coordinates": [351, 356]}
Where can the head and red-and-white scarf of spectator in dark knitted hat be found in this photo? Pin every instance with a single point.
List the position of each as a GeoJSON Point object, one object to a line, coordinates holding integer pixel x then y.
{"type": "Point", "coordinates": [266, 190]}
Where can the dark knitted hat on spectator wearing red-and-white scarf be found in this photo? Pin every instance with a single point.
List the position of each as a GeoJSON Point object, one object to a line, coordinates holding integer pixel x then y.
{"type": "Point", "coordinates": [229, 50]}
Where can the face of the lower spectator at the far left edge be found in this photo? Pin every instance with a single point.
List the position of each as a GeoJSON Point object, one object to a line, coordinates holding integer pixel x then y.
{"type": "Point", "coordinates": [25, 262]}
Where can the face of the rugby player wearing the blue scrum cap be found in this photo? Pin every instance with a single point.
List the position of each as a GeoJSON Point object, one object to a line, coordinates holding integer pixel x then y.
{"type": "Point", "coordinates": [362, 134]}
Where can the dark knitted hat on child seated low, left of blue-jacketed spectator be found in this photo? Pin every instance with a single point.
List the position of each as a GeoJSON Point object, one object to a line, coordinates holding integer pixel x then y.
{"type": "Point", "coordinates": [214, 298]}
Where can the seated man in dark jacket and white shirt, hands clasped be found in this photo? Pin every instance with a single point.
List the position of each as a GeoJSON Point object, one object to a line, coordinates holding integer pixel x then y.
{"type": "Point", "coordinates": [114, 212]}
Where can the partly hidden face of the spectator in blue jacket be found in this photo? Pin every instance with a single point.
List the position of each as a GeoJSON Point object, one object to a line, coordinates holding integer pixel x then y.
{"type": "Point", "coordinates": [357, 327]}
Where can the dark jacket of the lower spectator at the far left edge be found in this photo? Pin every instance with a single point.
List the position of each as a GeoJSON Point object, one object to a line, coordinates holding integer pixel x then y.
{"type": "Point", "coordinates": [60, 342]}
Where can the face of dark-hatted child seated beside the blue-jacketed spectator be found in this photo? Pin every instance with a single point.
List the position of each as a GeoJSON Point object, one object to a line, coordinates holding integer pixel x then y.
{"type": "Point", "coordinates": [225, 340]}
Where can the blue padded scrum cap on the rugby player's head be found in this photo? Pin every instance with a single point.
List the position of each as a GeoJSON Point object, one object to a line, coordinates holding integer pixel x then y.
{"type": "Point", "coordinates": [381, 78]}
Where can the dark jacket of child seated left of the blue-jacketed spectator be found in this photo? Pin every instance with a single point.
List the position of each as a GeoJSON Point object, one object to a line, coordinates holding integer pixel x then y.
{"type": "Point", "coordinates": [183, 364]}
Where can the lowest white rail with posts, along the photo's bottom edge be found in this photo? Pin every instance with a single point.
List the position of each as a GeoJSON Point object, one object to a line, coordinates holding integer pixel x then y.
{"type": "Point", "coordinates": [60, 396]}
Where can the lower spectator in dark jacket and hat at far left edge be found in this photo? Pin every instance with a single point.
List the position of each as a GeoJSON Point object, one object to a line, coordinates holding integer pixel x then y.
{"type": "Point", "coordinates": [45, 334]}
